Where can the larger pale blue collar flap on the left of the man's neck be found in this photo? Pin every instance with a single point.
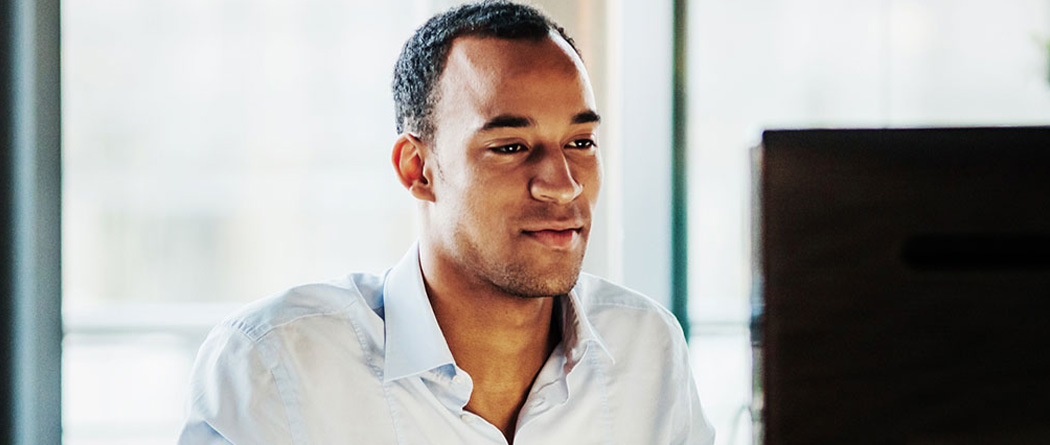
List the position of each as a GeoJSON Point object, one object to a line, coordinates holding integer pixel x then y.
{"type": "Point", "coordinates": [415, 344]}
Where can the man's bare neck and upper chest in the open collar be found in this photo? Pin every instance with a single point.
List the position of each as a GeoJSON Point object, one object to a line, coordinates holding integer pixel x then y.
{"type": "Point", "coordinates": [501, 341]}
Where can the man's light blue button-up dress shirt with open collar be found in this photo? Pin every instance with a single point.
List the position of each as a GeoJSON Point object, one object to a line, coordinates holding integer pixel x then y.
{"type": "Point", "coordinates": [362, 361]}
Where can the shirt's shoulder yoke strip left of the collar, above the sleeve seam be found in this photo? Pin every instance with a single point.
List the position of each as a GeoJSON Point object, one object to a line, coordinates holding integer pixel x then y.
{"type": "Point", "coordinates": [301, 304]}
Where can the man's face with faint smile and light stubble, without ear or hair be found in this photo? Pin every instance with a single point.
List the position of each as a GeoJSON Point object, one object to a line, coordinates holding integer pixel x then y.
{"type": "Point", "coordinates": [516, 173]}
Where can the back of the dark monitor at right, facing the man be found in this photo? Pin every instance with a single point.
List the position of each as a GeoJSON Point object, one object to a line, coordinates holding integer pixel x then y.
{"type": "Point", "coordinates": [905, 286]}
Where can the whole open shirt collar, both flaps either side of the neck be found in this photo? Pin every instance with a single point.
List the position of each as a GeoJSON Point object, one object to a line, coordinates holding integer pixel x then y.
{"type": "Point", "coordinates": [415, 344]}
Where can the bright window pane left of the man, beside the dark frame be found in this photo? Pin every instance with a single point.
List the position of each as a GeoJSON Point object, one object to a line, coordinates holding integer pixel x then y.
{"type": "Point", "coordinates": [216, 153]}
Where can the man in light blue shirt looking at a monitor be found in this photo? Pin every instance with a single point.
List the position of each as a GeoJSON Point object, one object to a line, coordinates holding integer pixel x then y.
{"type": "Point", "coordinates": [487, 332]}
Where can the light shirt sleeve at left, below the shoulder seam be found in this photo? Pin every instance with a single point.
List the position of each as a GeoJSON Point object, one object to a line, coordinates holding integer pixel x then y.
{"type": "Point", "coordinates": [234, 396]}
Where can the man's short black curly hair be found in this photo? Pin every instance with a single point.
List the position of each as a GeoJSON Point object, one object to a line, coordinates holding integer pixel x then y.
{"type": "Point", "coordinates": [425, 55]}
